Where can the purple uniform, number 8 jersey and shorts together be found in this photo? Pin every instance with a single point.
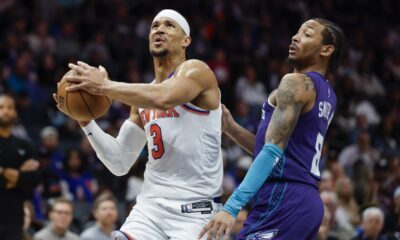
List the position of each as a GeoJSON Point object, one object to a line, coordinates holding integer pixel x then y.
{"type": "Point", "coordinates": [288, 205]}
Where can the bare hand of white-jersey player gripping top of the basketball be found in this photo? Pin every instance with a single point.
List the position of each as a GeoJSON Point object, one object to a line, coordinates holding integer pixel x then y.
{"type": "Point", "coordinates": [88, 78]}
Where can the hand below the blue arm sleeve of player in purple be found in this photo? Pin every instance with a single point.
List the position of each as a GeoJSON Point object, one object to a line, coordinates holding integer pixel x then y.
{"type": "Point", "coordinates": [219, 227]}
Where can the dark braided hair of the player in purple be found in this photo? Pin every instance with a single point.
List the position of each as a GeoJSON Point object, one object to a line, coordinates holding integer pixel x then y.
{"type": "Point", "coordinates": [333, 35]}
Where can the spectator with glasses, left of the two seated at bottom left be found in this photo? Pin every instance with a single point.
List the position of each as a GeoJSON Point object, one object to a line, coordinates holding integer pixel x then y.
{"type": "Point", "coordinates": [60, 217]}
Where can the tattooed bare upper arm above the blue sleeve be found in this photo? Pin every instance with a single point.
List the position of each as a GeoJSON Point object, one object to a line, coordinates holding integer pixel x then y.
{"type": "Point", "coordinates": [294, 93]}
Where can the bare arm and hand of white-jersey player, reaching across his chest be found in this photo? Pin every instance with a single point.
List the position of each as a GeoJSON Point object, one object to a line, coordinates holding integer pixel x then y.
{"type": "Point", "coordinates": [192, 78]}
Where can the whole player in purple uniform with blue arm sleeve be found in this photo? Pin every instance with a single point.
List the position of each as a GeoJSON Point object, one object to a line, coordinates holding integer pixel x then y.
{"type": "Point", "coordinates": [282, 181]}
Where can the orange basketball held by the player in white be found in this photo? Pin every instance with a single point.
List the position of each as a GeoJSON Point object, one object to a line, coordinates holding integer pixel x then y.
{"type": "Point", "coordinates": [81, 105]}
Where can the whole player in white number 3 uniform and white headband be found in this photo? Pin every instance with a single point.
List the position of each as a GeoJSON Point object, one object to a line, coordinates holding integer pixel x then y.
{"type": "Point", "coordinates": [179, 116]}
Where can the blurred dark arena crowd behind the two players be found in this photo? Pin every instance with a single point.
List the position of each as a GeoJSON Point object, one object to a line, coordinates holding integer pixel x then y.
{"type": "Point", "coordinates": [245, 43]}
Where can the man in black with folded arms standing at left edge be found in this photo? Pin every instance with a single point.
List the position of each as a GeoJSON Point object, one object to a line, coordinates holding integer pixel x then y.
{"type": "Point", "coordinates": [18, 173]}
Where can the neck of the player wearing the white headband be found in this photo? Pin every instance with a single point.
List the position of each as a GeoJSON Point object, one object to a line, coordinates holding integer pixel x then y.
{"type": "Point", "coordinates": [163, 67]}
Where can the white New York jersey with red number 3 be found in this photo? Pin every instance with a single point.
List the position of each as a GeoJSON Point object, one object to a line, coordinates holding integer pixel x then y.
{"type": "Point", "coordinates": [185, 160]}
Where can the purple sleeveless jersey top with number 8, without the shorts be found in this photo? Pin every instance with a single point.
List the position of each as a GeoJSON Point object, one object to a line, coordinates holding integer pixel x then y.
{"type": "Point", "coordinates": [303, 152]}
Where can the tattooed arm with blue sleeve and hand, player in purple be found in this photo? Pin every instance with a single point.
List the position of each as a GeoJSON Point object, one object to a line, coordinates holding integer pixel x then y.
{"type": "Point", "coordinates": [294, 93]}
